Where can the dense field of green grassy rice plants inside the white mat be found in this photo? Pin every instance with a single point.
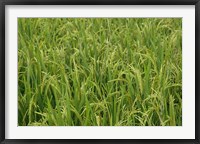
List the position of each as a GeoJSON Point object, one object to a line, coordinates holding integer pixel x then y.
{"type": "Point", "coordinates": [100, 71]}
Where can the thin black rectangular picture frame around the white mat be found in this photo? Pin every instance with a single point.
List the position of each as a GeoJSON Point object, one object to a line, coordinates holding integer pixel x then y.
{"type": "Point", "coordinates": [3, 4]}
